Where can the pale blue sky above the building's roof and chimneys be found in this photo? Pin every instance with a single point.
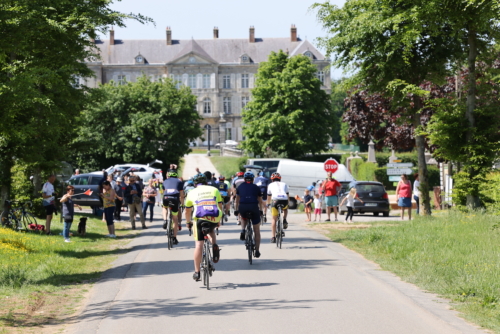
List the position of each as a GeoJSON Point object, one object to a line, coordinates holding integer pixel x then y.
{"type": "Point", "coordinates": [197, 18]}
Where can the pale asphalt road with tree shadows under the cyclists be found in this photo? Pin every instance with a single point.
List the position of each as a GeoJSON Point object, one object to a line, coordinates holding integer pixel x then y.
{"type": "Point", "coordinates": [312, 285]}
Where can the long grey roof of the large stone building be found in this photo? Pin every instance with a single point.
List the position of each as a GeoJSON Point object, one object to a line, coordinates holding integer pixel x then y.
{"type": "Point", "coordinates": [217, 50]}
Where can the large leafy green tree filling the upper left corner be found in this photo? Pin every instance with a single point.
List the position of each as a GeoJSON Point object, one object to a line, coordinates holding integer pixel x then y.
{"type": "Point", "coordinates": [43, 47]}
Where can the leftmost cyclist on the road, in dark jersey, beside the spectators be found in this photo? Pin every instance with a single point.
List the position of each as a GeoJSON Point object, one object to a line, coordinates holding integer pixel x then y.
{"type": "Point", "coordinates": [173, 197]}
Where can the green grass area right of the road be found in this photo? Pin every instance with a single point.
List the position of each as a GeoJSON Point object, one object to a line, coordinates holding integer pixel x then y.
{"type": "Point", "coordinates": [452, 254]}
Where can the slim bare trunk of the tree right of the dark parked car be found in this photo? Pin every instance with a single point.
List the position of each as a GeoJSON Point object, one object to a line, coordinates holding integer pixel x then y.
{"type": "Point", "coordinates": [425, 200]}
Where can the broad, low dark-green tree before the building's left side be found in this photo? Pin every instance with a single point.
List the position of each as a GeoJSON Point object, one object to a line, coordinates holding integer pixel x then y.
{"type": "Point", "coordinates": [137, 122]}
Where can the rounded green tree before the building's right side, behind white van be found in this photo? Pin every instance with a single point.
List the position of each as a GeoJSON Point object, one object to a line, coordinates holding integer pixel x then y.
{"type": "Point", "coordinates": [289, 112]}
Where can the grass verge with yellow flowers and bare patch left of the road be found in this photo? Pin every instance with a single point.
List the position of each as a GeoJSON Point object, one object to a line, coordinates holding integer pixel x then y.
{"type": "Point", "coordinates": [43, 279]}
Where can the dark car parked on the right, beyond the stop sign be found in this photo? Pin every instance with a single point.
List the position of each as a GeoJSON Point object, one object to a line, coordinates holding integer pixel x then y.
{"type": "Point", "coordinates": [373, 195]}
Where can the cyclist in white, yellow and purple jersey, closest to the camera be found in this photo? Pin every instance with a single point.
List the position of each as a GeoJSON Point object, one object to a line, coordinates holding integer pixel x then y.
{"type": "Point", "coordinates": [207, 204]}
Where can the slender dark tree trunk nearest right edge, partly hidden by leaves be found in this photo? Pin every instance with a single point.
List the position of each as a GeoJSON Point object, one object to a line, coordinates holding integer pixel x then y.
{"type": "Point", "coordinates": [472, 197]}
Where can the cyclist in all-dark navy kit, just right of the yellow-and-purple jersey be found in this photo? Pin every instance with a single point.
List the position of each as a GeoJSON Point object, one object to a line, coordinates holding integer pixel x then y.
{"type": "Point", "coordinates": [249, 199]}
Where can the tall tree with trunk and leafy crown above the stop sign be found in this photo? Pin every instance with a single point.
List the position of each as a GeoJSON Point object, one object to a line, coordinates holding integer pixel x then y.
{"type": "Point", "coordinates": [392, 52]}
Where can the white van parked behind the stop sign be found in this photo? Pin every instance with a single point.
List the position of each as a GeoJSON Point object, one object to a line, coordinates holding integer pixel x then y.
{"type": "Point", "coordinates": [298, 175]}
